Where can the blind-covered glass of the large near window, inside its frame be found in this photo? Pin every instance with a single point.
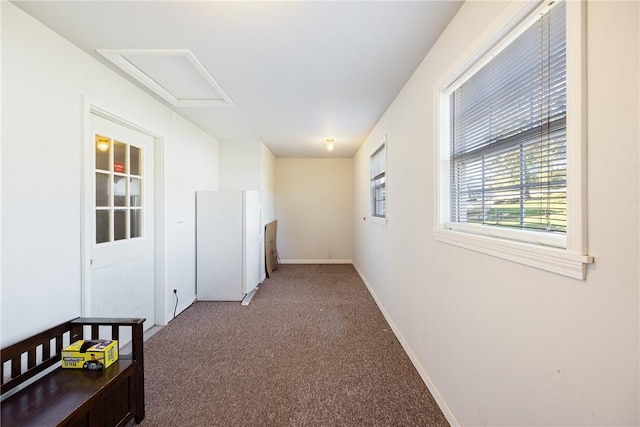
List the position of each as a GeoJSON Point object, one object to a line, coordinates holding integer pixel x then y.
{"type": "Point", "coordinates": [508, 162]}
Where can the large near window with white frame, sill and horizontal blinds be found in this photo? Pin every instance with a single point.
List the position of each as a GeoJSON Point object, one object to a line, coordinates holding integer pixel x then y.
{"type": "Point", "coordinates": [505, 145]}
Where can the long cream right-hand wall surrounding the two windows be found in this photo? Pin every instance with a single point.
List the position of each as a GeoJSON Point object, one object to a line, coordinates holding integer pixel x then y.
{"type": "Point", "coordinates": [500, 343]}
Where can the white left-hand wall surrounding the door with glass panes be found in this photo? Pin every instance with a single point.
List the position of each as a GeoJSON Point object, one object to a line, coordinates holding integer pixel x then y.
{"type": "Point", "coordinates": [45, 81]}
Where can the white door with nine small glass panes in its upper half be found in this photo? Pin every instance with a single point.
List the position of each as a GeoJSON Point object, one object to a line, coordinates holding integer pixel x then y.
{"type": "Point", "coordinates": [120, 222]}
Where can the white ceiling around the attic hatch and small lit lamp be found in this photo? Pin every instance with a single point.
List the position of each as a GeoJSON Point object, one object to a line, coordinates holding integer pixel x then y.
{"type": "Point", "coordinates": [298, 72]}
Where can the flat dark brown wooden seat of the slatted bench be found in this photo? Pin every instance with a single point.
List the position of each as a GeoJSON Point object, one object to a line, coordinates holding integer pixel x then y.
{"type": "Point", "coordinates": [54, 398]}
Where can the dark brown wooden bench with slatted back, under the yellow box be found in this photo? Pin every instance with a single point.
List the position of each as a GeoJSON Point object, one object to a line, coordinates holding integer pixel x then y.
{"type": "Point", "coordinates": [73, 397]}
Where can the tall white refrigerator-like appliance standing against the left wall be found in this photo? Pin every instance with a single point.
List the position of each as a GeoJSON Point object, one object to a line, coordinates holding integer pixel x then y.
{"type": "Point", "coordinates": [228, 236]}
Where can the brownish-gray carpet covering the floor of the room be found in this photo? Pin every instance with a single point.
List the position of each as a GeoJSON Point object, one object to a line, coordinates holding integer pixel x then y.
{"type": "Point", "coordinates": [312, 349]}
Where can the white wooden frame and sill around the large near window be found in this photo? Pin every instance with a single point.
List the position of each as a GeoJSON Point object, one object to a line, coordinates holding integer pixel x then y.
{"type": "Point", "coordinates": [562, 255]}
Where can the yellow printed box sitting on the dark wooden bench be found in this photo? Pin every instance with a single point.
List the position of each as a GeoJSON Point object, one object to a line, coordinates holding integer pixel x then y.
{"type": "Point", "coordinates": [94, 355]}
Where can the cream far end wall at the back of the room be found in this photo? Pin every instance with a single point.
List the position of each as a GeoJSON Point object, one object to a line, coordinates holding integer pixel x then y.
{"type": "Point", "coordinates": [314, 207]}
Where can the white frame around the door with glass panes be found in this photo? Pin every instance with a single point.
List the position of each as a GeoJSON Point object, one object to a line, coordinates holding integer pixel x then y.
{"type": "Point", "coordinates": [92, 107]}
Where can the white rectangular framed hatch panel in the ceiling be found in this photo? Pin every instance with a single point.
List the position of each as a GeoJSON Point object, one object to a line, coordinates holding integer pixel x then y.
{"type": "Point", "coordinates": [174, 74]}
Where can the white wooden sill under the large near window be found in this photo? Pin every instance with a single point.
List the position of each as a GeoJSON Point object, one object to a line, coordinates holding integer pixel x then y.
{"type": "Point", "coordinates": [546, 258]}
